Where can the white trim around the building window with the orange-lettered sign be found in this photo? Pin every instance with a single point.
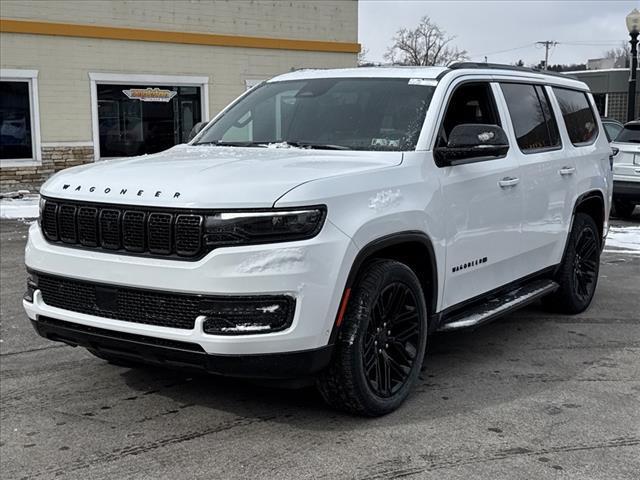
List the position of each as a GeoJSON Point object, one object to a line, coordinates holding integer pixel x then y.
{"type": "Point", "coordinates": [100, 78]}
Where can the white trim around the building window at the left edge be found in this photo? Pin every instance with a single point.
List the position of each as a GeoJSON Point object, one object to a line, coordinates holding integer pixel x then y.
{"type": "Point", "coordinates": [31, 78]}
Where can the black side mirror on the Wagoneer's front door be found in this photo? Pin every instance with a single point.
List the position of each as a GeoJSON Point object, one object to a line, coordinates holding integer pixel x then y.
{"type": "Point", "coordinates": [472, 142]}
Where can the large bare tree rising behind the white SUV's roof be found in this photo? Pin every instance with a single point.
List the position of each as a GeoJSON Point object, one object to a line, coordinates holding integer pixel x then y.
{"type": "Point", "coordinates": [426, 45]}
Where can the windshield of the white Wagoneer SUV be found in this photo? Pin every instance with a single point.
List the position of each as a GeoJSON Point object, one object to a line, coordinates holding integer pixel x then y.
{"type": "Point", "coordinates": [333, 113]}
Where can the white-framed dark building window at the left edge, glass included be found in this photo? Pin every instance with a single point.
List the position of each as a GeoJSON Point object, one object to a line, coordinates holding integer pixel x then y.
{"type": "Point", "coordinates": [19, 118]}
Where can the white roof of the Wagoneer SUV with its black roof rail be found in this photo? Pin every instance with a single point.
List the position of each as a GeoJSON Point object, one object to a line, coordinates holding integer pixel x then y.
{"type": "Point", "coordinates": [433, 73]}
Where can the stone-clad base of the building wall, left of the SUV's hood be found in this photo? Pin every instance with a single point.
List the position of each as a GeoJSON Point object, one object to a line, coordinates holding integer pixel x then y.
{"type": "Point", "coordinates": [54, 159]}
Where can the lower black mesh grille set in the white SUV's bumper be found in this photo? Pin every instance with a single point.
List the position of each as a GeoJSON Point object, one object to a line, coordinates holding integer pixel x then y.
{"type": "Point", "coordinates": [162, 308]}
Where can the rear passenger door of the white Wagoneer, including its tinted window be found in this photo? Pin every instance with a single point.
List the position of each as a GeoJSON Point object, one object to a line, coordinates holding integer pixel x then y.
{"type": "Point", "coordinates": [548, 173]}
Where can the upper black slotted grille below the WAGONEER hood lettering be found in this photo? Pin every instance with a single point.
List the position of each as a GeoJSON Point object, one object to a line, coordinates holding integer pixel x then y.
{"type": "Point", "coordinates": [132, 230]}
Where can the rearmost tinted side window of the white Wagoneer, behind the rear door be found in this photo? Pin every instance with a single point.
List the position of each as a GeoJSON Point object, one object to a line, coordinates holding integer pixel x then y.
{"type": "Point", "coordinates": [578, 115]}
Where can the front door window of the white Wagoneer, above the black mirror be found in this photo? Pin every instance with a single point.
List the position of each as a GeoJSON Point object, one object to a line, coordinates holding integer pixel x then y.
{"type": "Point", "coordinates": [470, 103]}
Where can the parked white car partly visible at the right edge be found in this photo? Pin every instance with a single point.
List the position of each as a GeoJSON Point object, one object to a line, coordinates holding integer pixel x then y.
{"type": "Point", "coordinates": [626, 169]}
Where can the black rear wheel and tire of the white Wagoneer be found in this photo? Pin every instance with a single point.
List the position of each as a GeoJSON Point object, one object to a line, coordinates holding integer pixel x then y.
{"type": "Point", "coordinates": [578, 273]}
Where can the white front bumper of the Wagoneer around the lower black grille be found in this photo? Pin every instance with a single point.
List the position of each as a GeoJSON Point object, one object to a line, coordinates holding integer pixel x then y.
{"type": "Point", "coordinates": [313, 271]}
